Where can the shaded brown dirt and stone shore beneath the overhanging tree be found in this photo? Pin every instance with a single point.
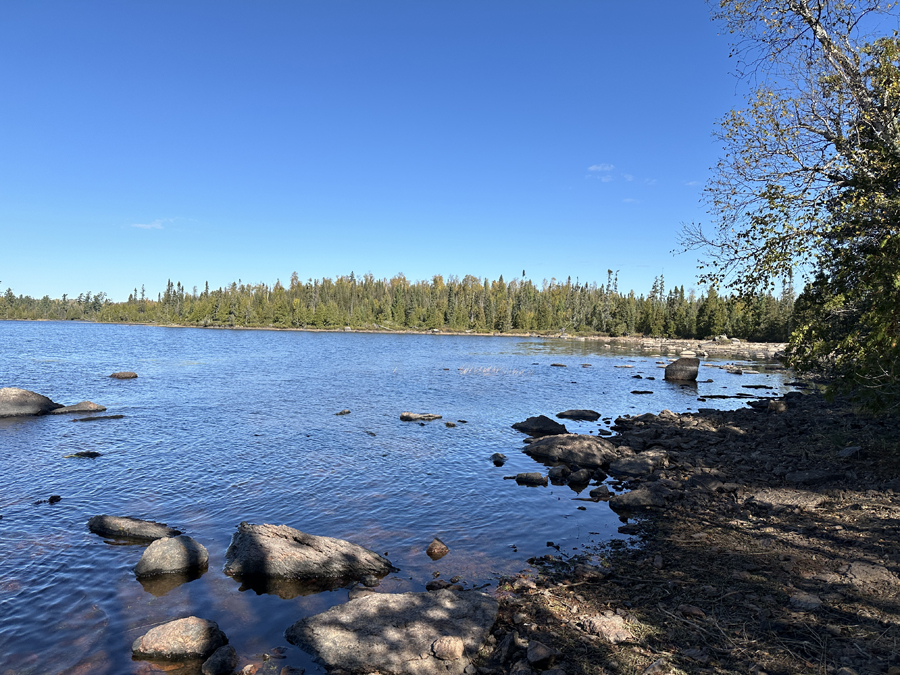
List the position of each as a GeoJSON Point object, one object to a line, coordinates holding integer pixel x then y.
{"type": "Point", "coordinates": [776, 551]}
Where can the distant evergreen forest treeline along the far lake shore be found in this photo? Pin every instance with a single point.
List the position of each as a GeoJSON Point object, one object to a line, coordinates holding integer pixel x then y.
{"type": "Point", "coordinates": [452, 304]}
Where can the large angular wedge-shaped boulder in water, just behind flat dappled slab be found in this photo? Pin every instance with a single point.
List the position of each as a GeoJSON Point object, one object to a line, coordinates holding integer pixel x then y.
{"type": "Point", "coordinates": [281, 551]}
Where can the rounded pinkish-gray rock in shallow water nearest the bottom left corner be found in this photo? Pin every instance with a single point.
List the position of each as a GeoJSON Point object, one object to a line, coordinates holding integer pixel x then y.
{"type": "Point", "coordinates": [189, 638]}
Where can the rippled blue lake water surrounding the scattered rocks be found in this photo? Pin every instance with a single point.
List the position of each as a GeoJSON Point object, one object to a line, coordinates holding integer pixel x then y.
{"type": "Point", "coordinates": [224, 426]}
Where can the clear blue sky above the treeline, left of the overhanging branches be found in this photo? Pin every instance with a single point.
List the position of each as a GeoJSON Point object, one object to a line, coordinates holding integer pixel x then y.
{"type": "Point", "coordinates": [216, 141]}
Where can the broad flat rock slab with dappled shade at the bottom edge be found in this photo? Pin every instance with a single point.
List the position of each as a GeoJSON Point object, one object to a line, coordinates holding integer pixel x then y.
{"type": "Point", "coordinates": [398, 634]}
